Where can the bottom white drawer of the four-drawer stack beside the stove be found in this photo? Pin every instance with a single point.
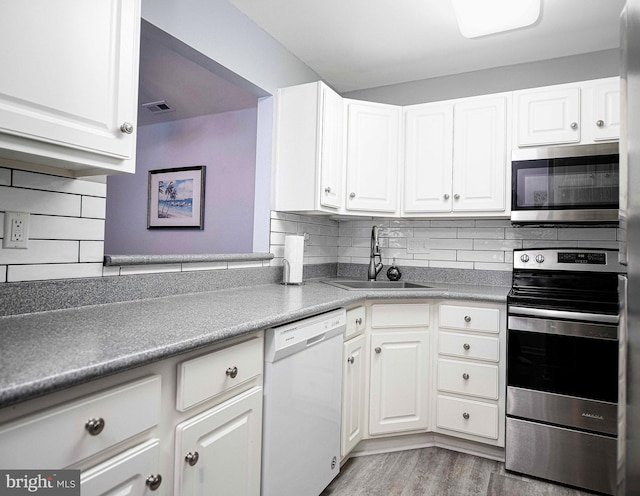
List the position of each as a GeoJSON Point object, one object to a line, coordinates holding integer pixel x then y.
{"type": "Point", "coordinates": [471, 417]}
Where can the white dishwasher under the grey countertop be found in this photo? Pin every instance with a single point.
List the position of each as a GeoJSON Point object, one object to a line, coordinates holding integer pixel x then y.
{"type": "Point", "coordinates": [302, 404]}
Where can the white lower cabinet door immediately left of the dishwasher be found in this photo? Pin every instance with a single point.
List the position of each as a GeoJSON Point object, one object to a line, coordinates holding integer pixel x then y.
{"type": "Point", "coordinates": [218, 452]}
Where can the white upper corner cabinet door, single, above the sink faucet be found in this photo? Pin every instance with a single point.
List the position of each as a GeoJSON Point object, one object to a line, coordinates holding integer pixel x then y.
{"type": "Point", "coordinates": [373, 132]}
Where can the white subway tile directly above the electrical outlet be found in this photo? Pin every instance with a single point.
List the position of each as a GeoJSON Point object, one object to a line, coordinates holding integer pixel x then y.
{"type": "Point", "coordinates": [39, 202]}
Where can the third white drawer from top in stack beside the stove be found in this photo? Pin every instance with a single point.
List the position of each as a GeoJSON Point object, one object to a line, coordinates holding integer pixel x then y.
{"type": "Point", "coordinates": [474, 379]}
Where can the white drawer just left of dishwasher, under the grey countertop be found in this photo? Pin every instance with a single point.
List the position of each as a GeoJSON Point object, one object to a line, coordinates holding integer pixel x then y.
{"type": "Point", "coordinates": [204, 377]}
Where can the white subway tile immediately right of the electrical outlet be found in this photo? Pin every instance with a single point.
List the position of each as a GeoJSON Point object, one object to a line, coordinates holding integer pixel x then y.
{"type": "Point", "coordinates": [51, 227]}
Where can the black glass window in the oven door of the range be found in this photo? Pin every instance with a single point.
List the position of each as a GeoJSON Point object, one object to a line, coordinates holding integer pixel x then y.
{"type": "Point", "coordinates": [568, 365]}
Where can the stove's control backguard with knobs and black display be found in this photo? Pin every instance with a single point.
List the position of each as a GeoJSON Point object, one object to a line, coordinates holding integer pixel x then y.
{"type": "Point", "coordinates": [567, 259]}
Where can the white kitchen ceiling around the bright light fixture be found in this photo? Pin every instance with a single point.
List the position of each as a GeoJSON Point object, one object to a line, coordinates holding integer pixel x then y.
{"type": "Point", "coordinates": [358, 44]}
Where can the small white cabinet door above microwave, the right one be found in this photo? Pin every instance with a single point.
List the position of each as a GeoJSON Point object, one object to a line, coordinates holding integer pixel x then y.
{"type": "Point", "coordinates": [606, 110]}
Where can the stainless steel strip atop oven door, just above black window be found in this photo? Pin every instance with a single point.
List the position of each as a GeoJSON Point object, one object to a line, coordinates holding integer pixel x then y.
{"type": "Point", "coordinates": [563, 327]}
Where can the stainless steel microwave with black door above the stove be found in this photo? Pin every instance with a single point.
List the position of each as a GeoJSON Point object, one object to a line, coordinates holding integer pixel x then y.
{"type": "Point", "coordinates": [565, 184]}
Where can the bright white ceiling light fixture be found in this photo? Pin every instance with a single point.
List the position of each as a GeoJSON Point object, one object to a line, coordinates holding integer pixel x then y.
{"type": "Point", "coordinates": [482, 17]}
